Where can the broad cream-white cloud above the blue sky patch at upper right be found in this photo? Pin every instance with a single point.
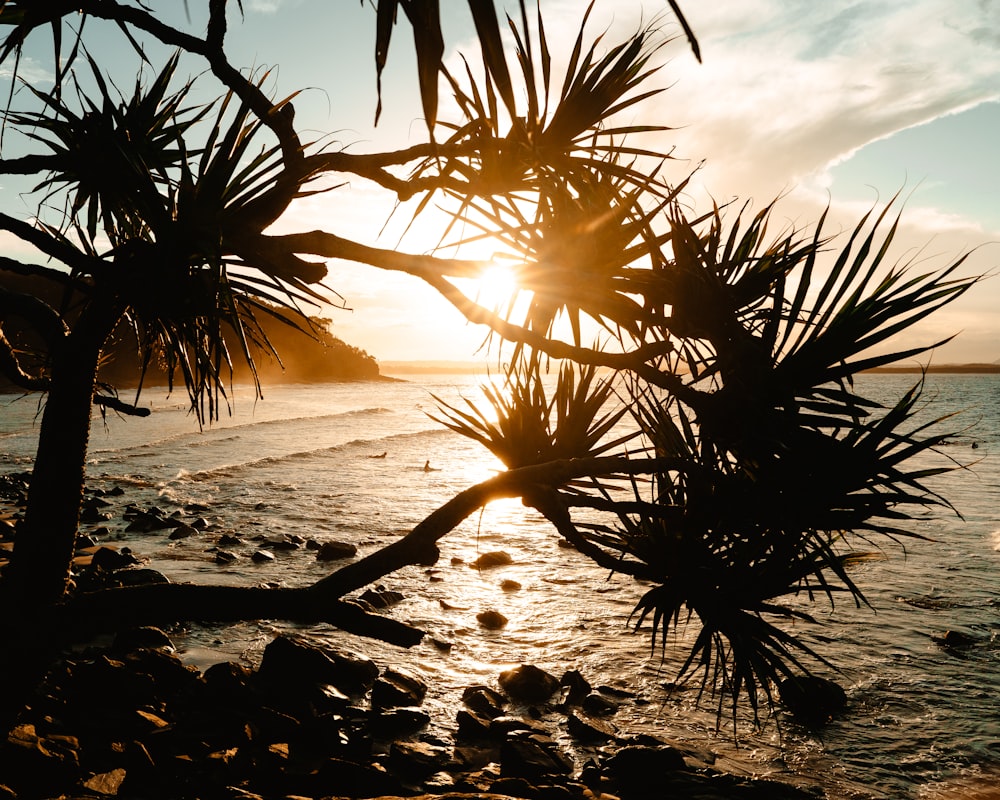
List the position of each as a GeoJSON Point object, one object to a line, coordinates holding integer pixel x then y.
{"type": "Point", "coordinates": [784, 90]}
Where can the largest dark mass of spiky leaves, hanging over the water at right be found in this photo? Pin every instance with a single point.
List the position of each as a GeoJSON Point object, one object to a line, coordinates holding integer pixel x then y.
{"type": "Point", "coordinates": [783, 456]}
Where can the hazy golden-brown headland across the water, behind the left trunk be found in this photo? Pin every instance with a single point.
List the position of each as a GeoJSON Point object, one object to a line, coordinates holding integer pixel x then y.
{"type": "Point", "coordinates": [305, 359]}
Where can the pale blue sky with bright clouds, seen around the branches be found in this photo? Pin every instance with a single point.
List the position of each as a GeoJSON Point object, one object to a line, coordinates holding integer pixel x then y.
{"type": "Point", "coordinates": [840, 104]}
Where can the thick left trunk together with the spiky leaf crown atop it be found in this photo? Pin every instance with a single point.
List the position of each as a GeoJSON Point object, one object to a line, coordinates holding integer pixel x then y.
{"type": "Point", "coordinates": [178, 269]}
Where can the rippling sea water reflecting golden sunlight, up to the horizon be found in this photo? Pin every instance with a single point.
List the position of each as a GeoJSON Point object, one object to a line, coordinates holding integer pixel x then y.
{"type": "Point", "coordinates": [923, 719]}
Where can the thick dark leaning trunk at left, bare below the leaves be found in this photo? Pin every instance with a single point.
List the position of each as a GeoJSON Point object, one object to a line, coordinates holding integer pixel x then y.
{"type": "Point", "coordinates": [45, 542]}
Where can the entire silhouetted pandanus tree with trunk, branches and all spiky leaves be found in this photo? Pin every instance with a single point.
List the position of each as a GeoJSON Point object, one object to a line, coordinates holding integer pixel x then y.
{"type": "Point", "coordinates": [719, 398]}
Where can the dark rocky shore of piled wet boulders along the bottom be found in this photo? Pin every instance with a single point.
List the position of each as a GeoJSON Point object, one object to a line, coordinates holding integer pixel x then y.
{"type": "Point", "coordinates": [130, 719]}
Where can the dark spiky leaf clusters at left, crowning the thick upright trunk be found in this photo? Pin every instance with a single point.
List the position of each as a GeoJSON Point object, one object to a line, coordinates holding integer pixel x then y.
{"type": "Point", "coordinates": [188, 260]}
